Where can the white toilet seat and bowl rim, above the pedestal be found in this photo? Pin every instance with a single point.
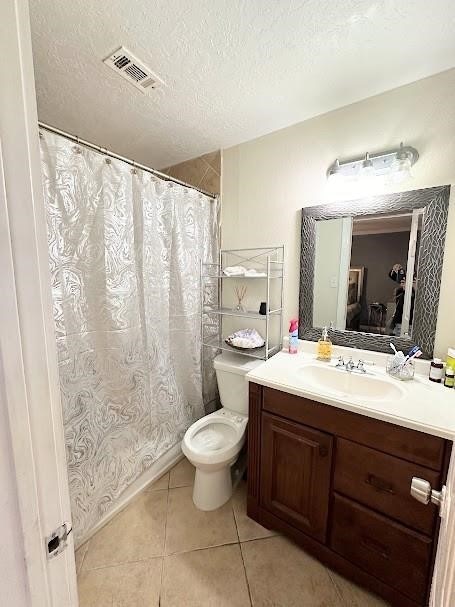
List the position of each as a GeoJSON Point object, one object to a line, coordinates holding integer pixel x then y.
{"type": "Point", "coordinates": [216, 438]}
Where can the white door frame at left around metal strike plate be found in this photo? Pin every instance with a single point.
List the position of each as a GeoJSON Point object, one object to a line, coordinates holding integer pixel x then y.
{"type": "Point", "coordinates": [29, 389]}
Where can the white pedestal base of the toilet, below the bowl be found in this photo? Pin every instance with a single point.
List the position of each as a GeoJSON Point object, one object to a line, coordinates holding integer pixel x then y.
{"type": "Point", "coordinates": [212, 489]}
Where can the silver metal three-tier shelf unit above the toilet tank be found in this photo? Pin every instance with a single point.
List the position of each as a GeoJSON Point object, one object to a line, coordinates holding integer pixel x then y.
{"type": "Point", "coordinates": [217, 312]}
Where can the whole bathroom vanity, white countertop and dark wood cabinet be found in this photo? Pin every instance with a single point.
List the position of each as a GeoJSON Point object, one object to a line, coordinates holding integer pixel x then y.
{"type": "Point", "coordinates": [334, 473]}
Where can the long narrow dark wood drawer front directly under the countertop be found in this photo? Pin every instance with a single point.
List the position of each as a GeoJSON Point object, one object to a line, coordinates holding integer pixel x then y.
{"type": "Point", "coordinates": [407, 444]}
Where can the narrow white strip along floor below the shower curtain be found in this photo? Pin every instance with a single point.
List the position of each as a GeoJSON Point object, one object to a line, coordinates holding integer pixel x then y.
{"type": "Point", "coordinates": [156, 470]}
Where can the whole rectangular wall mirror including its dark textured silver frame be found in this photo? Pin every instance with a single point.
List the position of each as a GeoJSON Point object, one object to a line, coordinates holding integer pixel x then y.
{"type": "Point", "coordinates": [371, 268]}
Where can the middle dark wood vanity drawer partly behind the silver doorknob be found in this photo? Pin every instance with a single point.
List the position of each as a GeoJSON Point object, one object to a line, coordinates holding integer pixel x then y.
{"type": "Point", "coordinates": [382, 482]}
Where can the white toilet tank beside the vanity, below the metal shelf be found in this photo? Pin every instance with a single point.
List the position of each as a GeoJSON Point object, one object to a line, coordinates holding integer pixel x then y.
{"type": "Point", "coordinates": [232, 385]}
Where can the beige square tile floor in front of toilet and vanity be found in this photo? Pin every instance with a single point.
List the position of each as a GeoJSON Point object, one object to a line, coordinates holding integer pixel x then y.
{"type": "Point", "coordinates": [163, 552]}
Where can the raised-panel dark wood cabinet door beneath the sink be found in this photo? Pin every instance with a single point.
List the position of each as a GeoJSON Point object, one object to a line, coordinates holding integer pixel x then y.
{"type": "Point", "coordinates": [295, 474]}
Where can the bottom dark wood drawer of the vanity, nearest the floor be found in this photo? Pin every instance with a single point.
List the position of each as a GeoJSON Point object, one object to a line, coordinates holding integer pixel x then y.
{"type": "Point", "coordinates": [392, 553]}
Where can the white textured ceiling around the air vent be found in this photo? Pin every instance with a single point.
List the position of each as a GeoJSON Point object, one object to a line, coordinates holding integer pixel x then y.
{"type": "Point", "coordinates": [234, 69]}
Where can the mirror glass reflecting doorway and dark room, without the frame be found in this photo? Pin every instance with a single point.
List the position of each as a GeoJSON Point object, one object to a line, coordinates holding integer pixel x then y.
{"type": "Point", "coordinates": [365, 272]}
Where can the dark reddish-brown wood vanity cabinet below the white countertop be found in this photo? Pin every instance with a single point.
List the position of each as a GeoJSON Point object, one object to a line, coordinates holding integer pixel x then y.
{"type": "Point", "coordinates": [338, 483]}
